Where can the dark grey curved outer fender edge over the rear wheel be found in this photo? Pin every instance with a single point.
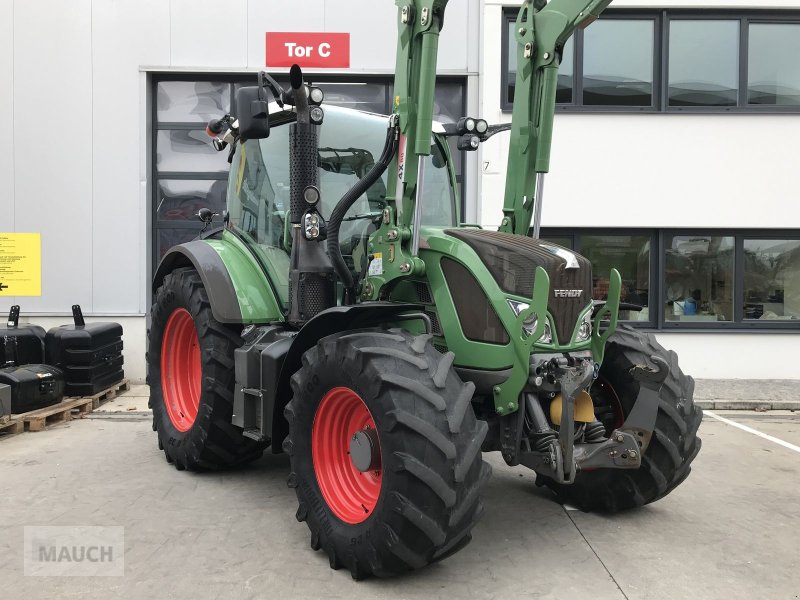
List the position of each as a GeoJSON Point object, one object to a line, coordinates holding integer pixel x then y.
{"type": "Point", "coordinates": [214, 272]}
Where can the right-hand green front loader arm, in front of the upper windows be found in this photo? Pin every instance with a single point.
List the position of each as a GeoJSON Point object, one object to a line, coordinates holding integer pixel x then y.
{"type": "Point", "coordinates": [541, 31]}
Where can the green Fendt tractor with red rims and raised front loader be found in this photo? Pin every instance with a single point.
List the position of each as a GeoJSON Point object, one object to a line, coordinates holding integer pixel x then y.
{"type": "Point", "coordinates": [344, 316]}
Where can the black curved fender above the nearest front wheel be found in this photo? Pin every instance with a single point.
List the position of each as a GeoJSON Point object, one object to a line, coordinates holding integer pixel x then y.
{"type": "Point", "coordinates": [327, 322]}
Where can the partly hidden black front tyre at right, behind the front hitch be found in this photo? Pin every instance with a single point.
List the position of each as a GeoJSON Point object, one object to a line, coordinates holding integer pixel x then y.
{"type": "Point", "coordinates": [667, 461]}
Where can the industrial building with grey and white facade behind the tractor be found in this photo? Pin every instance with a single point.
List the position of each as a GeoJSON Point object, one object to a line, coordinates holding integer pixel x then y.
{"type": "Point", "coordinates": [674, 154]}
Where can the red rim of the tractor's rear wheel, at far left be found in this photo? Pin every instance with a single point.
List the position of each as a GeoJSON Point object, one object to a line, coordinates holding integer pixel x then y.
{"type": "Point", "coordinates": [181, 371]}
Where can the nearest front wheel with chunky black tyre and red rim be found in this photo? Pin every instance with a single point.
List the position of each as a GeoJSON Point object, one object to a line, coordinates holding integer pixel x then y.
{"type": "Point", "coordinates": [385, 452]}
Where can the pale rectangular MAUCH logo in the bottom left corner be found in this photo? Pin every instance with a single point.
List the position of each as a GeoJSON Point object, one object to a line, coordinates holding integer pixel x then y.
{"type": "Point", "coordinates": [74, 551]}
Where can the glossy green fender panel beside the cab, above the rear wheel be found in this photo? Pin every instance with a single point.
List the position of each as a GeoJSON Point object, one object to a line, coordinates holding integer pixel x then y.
{"type": "Point", "coordinates": [255, 293]}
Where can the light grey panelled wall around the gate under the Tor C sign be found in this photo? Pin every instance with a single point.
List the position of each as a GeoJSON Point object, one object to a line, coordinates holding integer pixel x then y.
{"type": "Point", "coordinates": [75, 162]}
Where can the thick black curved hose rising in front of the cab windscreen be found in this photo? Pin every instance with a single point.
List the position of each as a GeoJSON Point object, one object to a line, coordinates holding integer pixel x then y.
{"type": "Point", "coordinates": [349, 198]}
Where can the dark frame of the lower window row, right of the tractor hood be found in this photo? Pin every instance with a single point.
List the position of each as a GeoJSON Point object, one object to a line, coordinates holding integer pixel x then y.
{"type": "Point", "coordinates": [657, 299]}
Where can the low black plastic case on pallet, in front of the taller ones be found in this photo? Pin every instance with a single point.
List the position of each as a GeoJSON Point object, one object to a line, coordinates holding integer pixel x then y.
{"type": "Point", "coordinates": [33, 386]}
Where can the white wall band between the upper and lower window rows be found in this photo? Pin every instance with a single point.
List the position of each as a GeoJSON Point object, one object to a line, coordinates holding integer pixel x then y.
{"type": "Point", "coordinates": [663, 171]}
